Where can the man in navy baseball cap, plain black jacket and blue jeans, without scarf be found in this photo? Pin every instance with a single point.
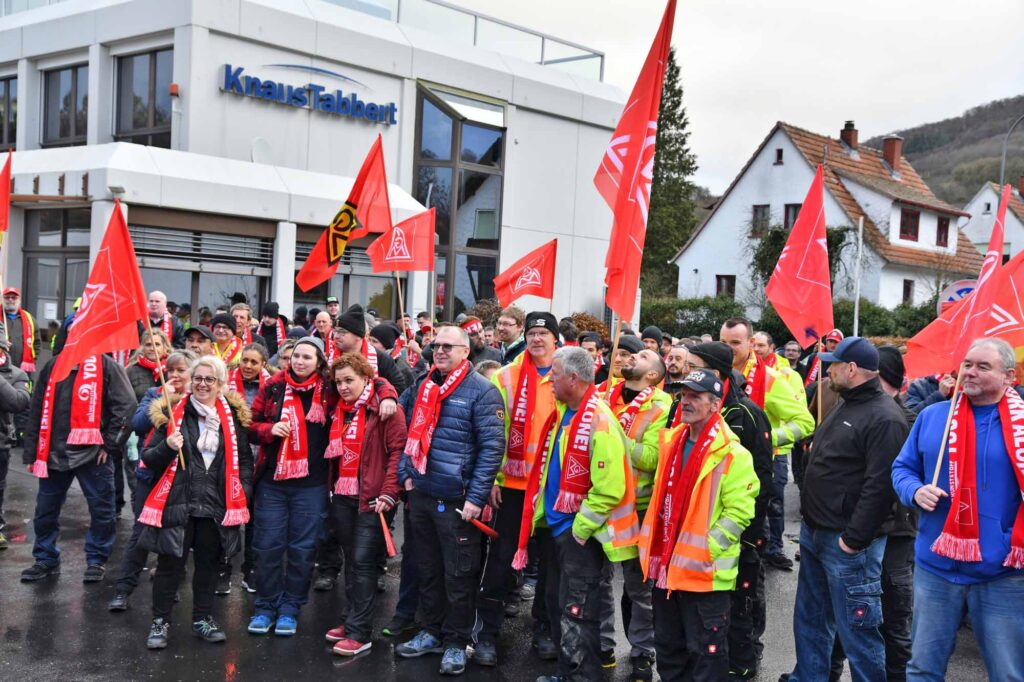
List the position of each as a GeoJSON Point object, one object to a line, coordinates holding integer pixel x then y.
{"type": "Point", "coordinates": [846, 500]}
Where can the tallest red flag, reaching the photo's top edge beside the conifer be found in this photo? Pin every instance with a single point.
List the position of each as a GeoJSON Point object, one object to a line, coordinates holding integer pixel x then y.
{"type": "Point", "coordinates": [626, 174]}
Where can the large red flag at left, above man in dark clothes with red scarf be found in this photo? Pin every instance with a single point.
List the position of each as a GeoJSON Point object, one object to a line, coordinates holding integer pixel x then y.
{"type": "Point", "coordinates": [113, 304]}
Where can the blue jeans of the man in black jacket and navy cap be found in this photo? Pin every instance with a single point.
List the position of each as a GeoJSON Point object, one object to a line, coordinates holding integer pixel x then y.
{"type": "Point", "coordinates": [838, 594]}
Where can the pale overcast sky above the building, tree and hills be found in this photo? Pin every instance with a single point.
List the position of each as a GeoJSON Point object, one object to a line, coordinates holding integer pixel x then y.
{"type": "Point", "coordinates": [747, 64]}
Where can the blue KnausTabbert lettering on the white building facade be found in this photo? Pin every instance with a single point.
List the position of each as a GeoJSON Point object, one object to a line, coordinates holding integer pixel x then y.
{"type": "Point", "coordinates": [316, 98]}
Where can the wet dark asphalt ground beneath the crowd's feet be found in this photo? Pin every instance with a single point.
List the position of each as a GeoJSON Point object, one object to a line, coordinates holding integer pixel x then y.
{"type": "Point", "coordinates": [60, 629]}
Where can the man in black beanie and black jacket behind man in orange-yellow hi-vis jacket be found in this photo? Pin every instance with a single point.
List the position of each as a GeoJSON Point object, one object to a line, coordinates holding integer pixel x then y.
{"type": "Point", "coordinates": [751, 424]}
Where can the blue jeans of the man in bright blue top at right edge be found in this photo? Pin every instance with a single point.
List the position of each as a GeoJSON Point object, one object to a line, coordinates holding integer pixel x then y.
{"type": "Point", "coordinates": [996, 618]}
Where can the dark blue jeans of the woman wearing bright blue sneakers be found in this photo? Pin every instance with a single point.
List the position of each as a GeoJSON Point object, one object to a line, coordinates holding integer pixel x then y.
{"type": "Point", "coordinates": [287, 529]}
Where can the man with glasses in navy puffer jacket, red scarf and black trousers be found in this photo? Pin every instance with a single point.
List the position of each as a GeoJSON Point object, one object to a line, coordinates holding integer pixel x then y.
{"type": "Point", "coordinates": [455, 447]}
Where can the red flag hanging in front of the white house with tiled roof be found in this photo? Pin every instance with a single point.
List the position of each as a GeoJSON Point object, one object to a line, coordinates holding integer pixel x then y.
{"type": "Point", "coordinates": [800, 288]}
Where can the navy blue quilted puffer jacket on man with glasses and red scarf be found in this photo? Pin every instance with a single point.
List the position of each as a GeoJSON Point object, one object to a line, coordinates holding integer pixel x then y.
{"type": "Point", "coordinates": [468, 444]}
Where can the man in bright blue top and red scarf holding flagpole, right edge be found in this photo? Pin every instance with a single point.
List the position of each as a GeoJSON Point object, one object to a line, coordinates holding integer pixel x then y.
{"type": "Point", "coordinates": [973, 559]}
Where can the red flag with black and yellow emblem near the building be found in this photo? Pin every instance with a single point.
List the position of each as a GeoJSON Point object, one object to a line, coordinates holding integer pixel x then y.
{"type": "Point", "coordinates": [368, 207]}
